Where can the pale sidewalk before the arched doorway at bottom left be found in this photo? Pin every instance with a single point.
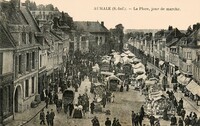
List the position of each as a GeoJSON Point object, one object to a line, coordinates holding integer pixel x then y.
{"type": "Point", "coordinates": [21, 119]}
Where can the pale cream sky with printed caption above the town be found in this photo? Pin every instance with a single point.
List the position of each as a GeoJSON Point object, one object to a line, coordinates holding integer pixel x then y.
{"type": "Point", "coordinates": [187, 12]}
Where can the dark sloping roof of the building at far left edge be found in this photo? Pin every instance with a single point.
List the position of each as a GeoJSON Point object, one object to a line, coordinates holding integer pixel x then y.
{"type": "Point", "coordinates": [5, 40]}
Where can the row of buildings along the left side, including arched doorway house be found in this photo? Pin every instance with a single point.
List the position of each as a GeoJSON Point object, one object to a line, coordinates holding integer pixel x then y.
{"type": "Point", "coordinates": [34, 48]}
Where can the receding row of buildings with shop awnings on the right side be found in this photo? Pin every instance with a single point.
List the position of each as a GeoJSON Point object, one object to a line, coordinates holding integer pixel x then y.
{"type": "Point", "coordinates": [173, 52]}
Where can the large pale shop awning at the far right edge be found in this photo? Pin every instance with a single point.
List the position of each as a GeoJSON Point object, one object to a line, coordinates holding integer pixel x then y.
{"type": "Point", "coordinates": [194, 88]}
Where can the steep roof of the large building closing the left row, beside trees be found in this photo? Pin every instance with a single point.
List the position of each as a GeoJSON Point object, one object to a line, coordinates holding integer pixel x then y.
{"type": "Point", "coordinates": [90, 26]}
